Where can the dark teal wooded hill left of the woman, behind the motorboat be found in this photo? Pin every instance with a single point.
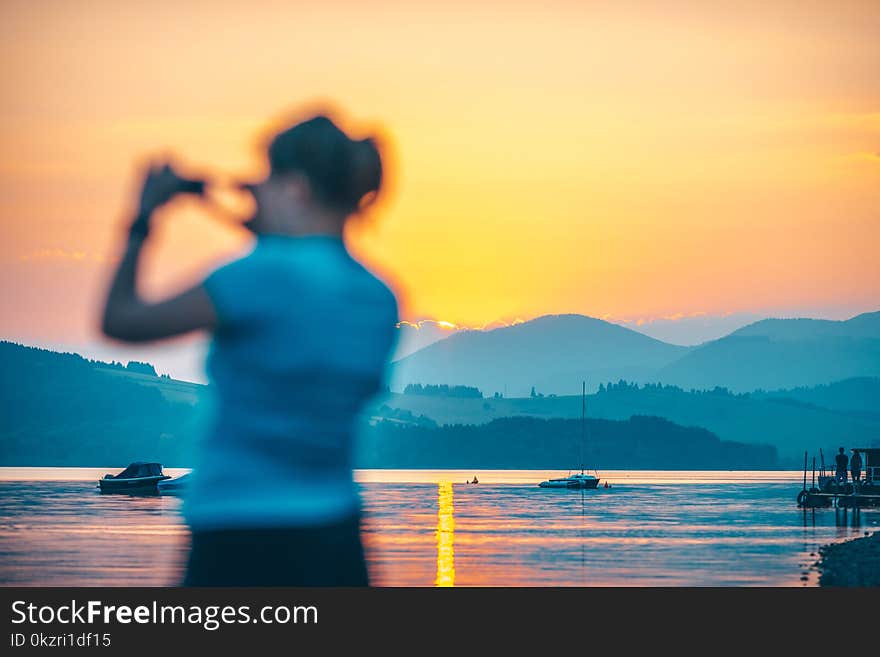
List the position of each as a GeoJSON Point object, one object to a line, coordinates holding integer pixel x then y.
{"type": "Point", "coordinates": [61, 409]}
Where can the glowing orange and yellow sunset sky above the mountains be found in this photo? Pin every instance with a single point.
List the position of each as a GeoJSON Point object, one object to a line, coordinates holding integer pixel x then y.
{"type": "Point", "coordinates": [625, 159]}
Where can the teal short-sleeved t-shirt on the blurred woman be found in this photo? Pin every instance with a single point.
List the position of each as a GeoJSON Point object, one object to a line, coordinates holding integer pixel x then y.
{"type": "Point", "coordinates": [303, 339]}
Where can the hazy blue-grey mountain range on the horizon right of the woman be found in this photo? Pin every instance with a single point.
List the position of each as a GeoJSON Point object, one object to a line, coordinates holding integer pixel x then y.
{"type": "Point", "coordinates": [554, 353]}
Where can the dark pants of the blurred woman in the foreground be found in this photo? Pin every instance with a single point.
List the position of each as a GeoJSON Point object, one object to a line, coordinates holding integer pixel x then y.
{"type": "Point", "coordinates": [325, 555]}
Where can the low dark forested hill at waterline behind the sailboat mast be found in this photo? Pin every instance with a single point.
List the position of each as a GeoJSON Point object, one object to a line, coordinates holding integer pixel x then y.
{"type": "Point", "coordinates": [526, 442]}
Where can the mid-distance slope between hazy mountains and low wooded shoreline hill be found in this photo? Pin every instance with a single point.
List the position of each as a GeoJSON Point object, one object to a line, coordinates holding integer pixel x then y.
{"type": "Point", "coordinates": [774, 418]}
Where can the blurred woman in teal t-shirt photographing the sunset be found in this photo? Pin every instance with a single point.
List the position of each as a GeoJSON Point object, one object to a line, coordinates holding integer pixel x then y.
{"type": "Point", "coordinates": [301, 337]}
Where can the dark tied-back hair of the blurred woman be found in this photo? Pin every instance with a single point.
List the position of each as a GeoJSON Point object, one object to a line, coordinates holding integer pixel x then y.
{"type": "Point", "coordinates": [344, 173]}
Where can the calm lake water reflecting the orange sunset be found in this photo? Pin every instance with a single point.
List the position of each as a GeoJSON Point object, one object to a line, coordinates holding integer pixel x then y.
{"type": "Point", "coordinates": [428, 528]}
